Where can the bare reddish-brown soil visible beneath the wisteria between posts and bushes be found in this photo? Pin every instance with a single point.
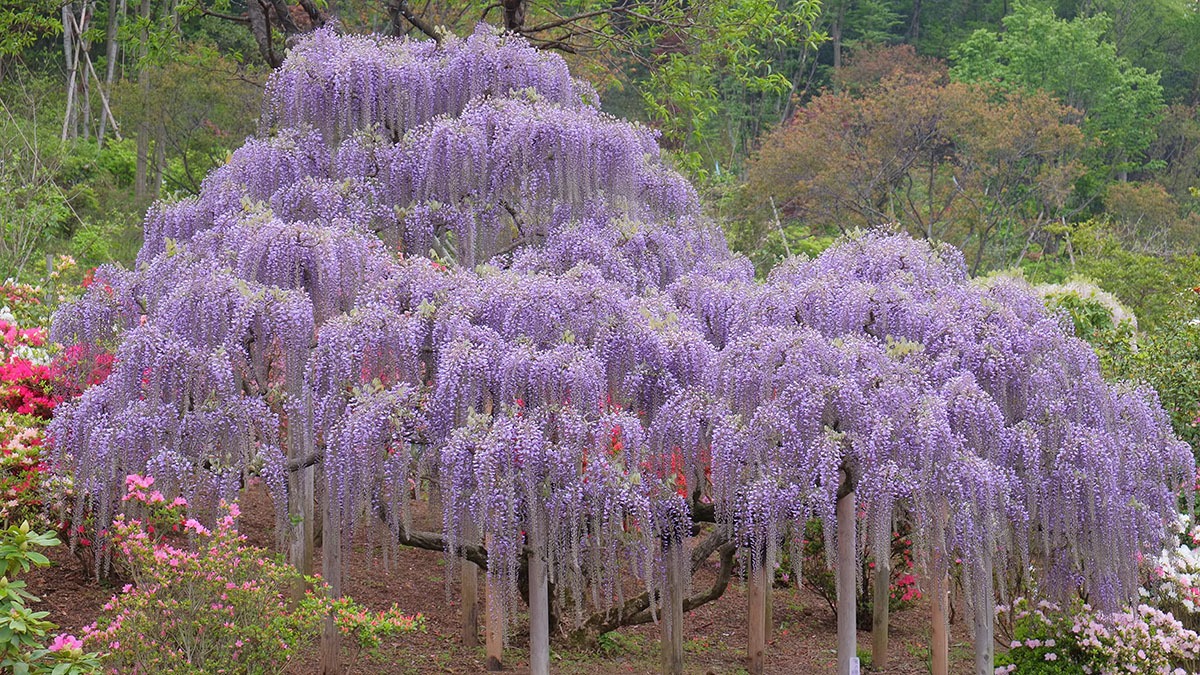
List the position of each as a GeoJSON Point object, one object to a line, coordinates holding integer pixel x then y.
{"type": "Point", "coordinates": [803, 641]}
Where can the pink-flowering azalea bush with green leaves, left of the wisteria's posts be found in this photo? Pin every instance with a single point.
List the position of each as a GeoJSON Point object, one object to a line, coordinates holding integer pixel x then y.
{"type": "Point", "coordinates": [218, 607]}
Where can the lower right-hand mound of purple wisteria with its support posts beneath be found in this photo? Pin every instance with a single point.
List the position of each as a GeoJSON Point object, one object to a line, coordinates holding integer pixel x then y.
{"type": "Point", "coordinates": [881, 372]}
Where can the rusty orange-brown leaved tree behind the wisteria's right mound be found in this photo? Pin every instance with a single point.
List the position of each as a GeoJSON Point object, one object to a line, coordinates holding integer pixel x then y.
{"type": "Point", "coordinates": [949, 162]}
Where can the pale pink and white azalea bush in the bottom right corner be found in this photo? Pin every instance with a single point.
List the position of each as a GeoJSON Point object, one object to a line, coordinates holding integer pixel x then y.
{"type": "Point", "coordinates": [1048, 641]}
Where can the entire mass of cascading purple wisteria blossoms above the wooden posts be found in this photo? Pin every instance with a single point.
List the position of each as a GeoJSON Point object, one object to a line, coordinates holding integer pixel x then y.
{"type": "Point", "coordinates": [445, 261]}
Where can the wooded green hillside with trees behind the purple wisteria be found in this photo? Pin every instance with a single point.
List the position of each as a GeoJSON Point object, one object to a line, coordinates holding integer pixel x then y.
{"type": "Point", "coordinates": [1054, 140]}
